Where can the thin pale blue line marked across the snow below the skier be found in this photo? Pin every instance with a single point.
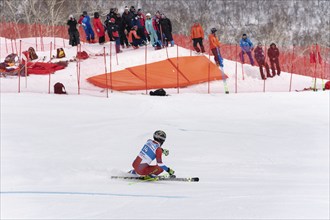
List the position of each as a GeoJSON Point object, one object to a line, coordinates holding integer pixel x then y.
{"type": "Point", "coordinates": [91, 194]}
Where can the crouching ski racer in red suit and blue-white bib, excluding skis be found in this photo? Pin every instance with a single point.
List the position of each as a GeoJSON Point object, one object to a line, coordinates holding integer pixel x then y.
{"type": "Point", "coordinates": [150, 151]}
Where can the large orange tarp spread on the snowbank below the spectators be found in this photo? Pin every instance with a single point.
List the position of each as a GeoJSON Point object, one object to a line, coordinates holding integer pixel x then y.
{"type": "Point", "coordinates": [170, 73]}
